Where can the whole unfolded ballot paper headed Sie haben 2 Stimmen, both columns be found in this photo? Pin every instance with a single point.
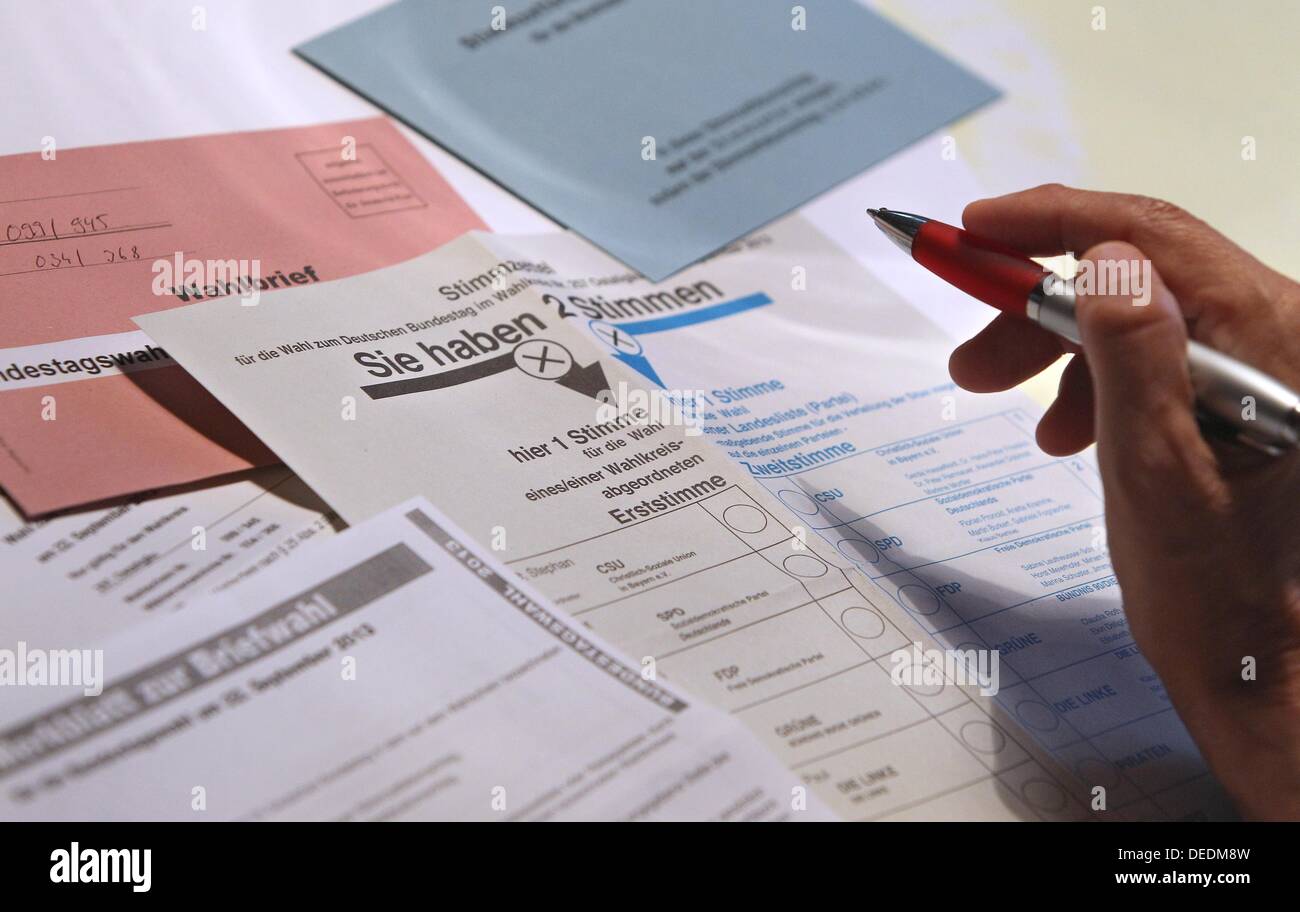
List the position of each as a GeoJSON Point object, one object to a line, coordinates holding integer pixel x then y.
{"type": "Point", "coordinates": [811, 528]}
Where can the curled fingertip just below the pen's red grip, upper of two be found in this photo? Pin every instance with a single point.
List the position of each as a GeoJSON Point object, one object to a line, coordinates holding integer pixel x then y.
{"type": "Point", "coordinates": [1004, 354]}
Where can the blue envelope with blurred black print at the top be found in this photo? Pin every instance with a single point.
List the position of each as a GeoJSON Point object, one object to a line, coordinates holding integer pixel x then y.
{"type": "Point", "coordinates": [662, 131]}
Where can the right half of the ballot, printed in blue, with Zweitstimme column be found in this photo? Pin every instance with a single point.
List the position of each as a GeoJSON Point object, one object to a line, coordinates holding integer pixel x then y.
{"type": "Point", "coordinates": [834, 397]}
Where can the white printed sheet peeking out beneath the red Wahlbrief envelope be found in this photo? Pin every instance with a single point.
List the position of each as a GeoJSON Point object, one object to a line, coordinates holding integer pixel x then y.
{"type": "Point", "coordinates": [83, 577]}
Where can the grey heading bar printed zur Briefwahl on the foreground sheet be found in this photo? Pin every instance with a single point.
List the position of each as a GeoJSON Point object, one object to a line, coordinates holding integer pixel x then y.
{"type": "Point", "coordinates": [279, 628]}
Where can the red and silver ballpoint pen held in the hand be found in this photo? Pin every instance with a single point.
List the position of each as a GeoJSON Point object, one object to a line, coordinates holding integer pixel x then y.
{"type": "Point", "coordinates": [1233, 398]}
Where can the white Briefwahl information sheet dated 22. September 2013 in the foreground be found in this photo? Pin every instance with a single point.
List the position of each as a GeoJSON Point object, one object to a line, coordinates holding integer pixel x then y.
{"type": "Point", "coordinates": [400, 674]}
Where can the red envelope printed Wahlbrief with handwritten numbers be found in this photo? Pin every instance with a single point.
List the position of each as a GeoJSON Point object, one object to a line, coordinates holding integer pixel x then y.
{"type": "Point", "coordinates": [89, 409]}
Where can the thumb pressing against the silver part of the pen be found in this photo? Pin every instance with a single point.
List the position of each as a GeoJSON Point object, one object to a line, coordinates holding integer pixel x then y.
{"type": "Point", "coordinates": [1149, 444]}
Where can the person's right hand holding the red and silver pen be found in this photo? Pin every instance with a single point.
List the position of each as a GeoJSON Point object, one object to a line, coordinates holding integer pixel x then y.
{"type": "Point", "coordinates": [1204, 537]}
